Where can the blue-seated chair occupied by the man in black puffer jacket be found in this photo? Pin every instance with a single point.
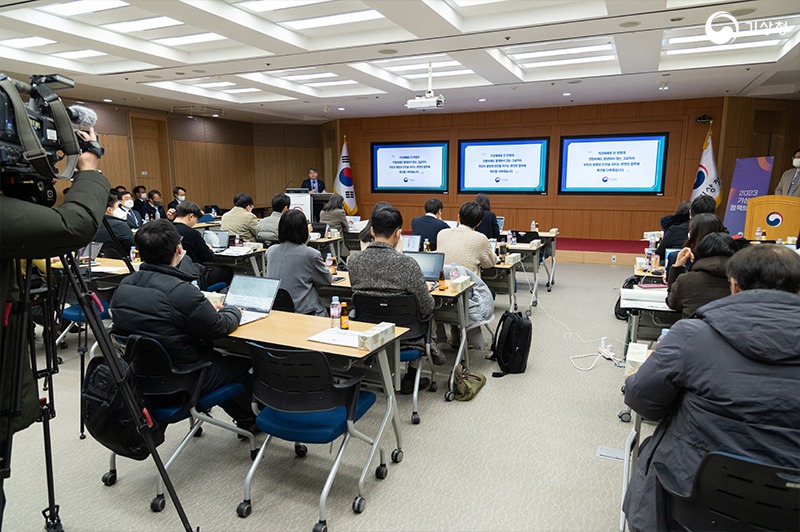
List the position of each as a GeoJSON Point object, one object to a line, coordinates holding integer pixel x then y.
{"type": "Point", "coordinates": [172, 394]}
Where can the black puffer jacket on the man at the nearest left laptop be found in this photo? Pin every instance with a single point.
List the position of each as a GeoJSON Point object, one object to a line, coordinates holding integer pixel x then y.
{"type": "Point", "coordinates": [160, 302]}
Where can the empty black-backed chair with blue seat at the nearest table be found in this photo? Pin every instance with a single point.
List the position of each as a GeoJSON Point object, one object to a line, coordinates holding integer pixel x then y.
{"type": "Point", "coordinates": [298, 401]}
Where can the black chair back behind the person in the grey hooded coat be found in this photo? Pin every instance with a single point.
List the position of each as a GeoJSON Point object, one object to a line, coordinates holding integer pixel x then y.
{"type": "Point", "coordinates": [731, 493]}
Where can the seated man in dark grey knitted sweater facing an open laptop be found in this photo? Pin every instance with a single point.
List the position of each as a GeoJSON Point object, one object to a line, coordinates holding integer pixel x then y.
{"type": "Point", "coordinates": [381, 269]}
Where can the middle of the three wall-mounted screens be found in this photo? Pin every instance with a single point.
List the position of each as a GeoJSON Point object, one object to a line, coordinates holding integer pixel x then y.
{"type": "Point", "coordinates": [507, 165]}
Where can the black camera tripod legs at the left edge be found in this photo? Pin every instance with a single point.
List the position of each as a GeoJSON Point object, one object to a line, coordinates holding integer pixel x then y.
{"type": "Point", "coordinates": [12, 354]}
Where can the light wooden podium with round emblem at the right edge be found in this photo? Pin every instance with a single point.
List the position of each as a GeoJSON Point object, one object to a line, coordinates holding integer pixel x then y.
{"type": "Point", "coordinates": [779, 216]}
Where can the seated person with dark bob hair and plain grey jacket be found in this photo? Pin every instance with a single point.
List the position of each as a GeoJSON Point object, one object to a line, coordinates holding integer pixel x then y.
{"type": "Point", "coordinates": [299, 267]}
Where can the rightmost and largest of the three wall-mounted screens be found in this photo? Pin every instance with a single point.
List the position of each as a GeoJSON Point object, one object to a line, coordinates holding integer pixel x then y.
{"type": "Point", "coordinates": [613, 164]}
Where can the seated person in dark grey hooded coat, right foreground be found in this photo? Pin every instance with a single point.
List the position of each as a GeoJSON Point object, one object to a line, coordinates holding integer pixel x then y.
{"type": "Point", "coordinates": [726, 381]}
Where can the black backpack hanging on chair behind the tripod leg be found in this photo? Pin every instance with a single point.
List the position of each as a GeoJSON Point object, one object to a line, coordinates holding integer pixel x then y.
{"type": "Point", "coordinates": [106, 415]}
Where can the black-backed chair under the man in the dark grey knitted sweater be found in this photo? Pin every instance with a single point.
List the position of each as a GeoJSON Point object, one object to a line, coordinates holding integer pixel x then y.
{"type": "Point", "coordinates": [400, 309]}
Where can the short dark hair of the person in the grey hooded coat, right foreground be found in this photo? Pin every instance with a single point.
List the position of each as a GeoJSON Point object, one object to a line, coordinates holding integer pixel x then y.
{"type": "Point", "coordinates": [766, 266]}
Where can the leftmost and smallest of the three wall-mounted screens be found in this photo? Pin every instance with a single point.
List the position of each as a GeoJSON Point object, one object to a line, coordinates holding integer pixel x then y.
{"type": "Point", "coordinates": [409, 167]}
